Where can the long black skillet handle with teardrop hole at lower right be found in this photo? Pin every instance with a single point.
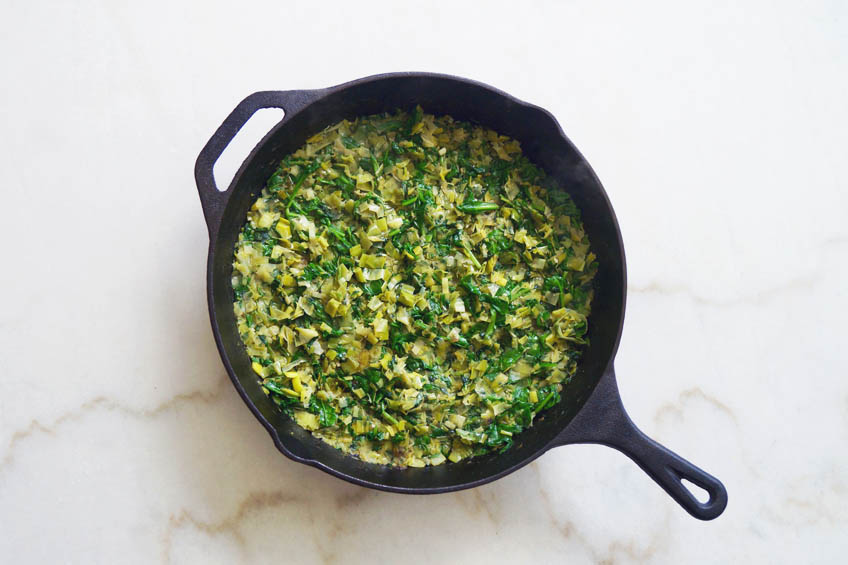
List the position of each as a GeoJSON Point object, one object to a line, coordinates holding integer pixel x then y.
{"type": "Point", "coordinates": [603, 420]}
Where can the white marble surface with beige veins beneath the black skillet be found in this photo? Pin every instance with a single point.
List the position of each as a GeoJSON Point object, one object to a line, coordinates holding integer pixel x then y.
{"type": "Point", "coordinates": [720, 132]}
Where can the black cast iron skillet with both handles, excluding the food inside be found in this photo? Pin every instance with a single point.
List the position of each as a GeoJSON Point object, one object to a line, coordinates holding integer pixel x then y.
{"type": "Point", "coordinates": [591, 409]}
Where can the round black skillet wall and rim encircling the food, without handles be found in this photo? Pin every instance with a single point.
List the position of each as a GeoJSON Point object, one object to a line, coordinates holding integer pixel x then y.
{"type": "Point", "coordinates": [542, 143]}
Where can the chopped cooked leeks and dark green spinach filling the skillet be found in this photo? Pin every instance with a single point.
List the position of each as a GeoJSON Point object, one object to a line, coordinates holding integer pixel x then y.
{"type": "Point", "coordinates": [411, 289]}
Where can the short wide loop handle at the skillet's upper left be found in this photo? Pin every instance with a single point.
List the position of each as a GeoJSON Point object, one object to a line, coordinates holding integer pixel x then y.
{"type": "Point", "coordinates": [213, 200]}
